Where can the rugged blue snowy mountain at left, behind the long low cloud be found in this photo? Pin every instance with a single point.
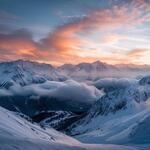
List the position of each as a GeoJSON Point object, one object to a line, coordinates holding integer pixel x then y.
{"type": "Point", "coordinates": [26, 72]}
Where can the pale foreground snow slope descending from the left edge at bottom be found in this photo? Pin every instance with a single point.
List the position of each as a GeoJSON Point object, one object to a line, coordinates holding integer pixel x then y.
{"type": "Point", "coordinates": [17, 132]}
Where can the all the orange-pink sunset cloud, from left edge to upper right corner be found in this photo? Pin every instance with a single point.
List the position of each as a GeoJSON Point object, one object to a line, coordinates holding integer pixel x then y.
{"type": "Point", "coordinates": [64, 44]}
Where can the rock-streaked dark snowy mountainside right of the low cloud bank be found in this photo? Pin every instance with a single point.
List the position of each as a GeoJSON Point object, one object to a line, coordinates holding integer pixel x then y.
{"type": "Point", "coordinates": [120, 99]}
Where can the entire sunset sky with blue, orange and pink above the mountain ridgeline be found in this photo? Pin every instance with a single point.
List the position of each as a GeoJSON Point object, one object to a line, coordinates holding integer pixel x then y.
{"type": "Point", "coordinates": [74, 31]}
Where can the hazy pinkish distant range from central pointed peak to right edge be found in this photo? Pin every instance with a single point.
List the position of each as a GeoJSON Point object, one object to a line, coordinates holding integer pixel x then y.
{"type": "Point", "coordinates": [98, 69]}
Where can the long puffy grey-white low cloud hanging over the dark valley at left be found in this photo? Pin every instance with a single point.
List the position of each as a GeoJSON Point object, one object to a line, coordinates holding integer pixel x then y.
{"type": "Point", "coordinates": [68, 90]}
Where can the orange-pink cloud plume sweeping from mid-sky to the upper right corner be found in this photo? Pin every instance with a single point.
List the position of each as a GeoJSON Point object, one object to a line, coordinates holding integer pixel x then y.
{"type": "Point", "coordinates": [66, 38]}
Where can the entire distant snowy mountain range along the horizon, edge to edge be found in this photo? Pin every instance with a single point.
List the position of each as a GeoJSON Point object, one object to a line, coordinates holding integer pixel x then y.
{"type": "Point", "coordinates": [26, 72]}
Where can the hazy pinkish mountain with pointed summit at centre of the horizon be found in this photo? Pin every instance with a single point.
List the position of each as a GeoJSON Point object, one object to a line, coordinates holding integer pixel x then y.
{"type": "Point", "coordinates": [87, 71]}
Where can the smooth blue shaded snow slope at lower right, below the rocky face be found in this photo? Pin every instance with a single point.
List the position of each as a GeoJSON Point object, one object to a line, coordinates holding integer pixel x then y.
{"type": "Point", "coordinates": [123, 127]}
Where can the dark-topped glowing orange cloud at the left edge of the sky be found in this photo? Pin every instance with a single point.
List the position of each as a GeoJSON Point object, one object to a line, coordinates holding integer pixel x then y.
{"type": "Point", "coordinates": [17, 44]}
